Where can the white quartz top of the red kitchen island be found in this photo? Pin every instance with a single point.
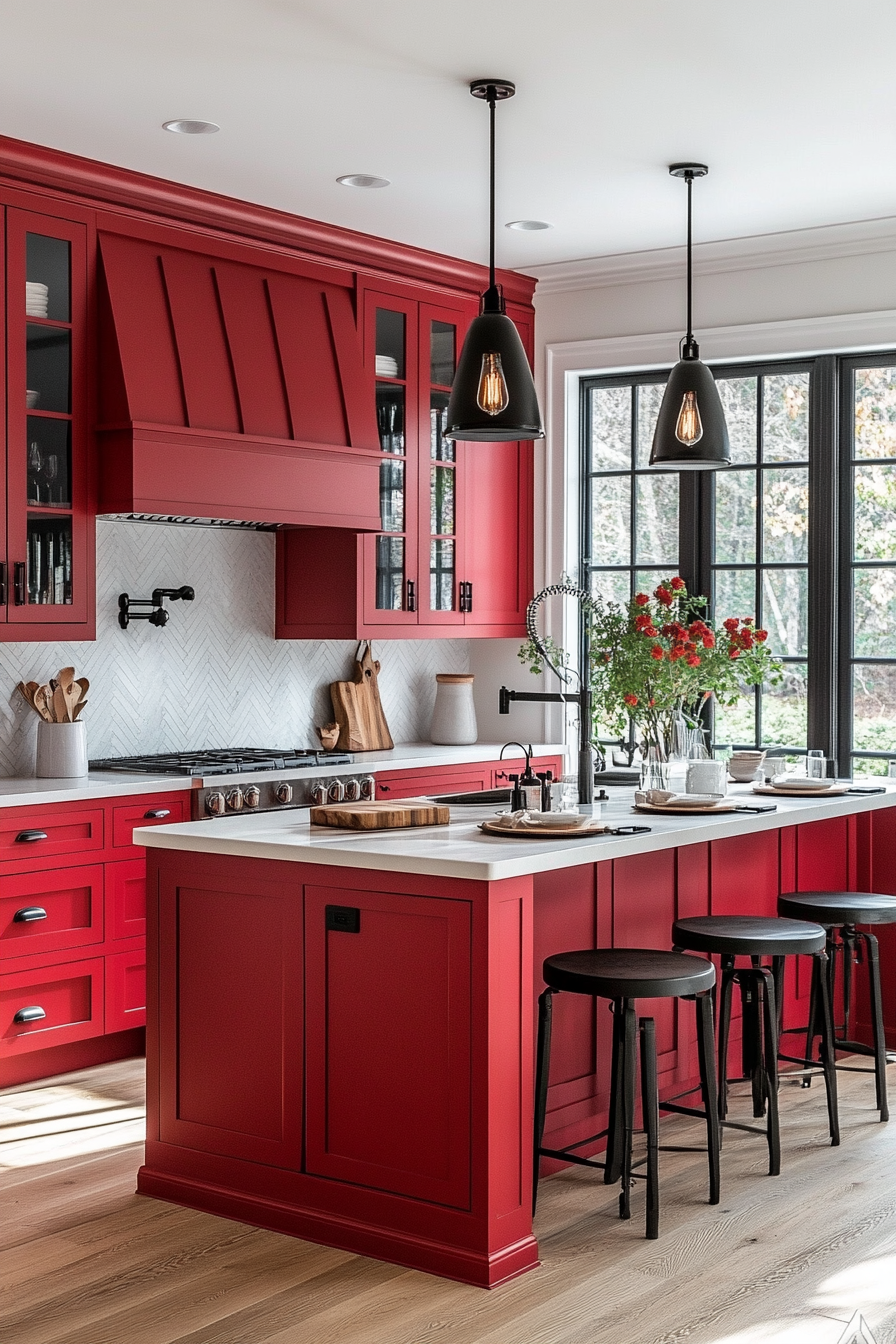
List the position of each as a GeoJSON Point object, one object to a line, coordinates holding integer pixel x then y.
{"type": "Point", "coordinates": [461, 850]}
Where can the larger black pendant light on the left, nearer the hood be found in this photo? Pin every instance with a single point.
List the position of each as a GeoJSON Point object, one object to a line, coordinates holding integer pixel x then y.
{"type": "Point", "coordinates": [494, 396]}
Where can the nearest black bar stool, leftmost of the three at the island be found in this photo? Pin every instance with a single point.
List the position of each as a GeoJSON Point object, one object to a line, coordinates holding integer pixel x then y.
{"type": "Point", "coordinates": [625, 975]}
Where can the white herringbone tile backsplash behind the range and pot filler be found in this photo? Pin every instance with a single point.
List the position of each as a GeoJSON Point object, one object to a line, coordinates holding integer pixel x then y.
{"type": "Point", "coordinates": [214, 677]}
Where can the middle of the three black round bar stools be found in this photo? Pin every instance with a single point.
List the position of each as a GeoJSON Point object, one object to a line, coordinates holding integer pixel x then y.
{"type": "Point", "coordinates": [761, 993]}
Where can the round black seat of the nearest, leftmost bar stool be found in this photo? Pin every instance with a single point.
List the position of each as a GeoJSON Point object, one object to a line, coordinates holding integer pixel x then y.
{"type": "Point", "coordinates": [629, 974]}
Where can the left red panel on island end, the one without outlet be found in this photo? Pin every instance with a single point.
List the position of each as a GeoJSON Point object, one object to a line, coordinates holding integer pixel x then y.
{"type": "Point", "coordinates": [230, 1019]}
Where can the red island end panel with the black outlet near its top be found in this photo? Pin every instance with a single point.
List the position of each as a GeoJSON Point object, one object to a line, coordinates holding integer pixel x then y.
{"type": "Point", "coordinates": [389, 1044]}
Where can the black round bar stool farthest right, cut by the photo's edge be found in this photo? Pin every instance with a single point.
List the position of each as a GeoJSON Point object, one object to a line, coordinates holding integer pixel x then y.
{"type": "Point", "coordinates": [840, 912]}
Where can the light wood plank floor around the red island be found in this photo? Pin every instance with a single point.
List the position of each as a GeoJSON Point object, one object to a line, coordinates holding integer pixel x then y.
{"type": "Point", "coordinates": [788, 1260]}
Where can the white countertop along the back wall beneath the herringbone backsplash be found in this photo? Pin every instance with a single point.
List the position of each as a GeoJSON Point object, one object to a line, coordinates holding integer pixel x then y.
{"type": "Point", "coordinates": [104, 784]}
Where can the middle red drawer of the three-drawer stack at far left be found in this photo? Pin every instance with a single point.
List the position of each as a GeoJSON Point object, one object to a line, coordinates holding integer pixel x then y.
{"type": "Point", "coordinates": [49, 912]}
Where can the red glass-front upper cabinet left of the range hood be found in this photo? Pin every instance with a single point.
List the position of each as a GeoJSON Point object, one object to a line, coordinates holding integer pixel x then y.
{"type": "Point", "coordinates": [48, 548]}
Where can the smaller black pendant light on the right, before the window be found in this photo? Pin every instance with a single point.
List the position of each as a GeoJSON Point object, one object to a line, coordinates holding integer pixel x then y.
{"type": "Point", "coordinates": [691, 433]}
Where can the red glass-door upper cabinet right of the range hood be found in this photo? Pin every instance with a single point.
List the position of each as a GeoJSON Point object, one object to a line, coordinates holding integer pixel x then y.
{"type": "Point", "coordinates": [455, 553]}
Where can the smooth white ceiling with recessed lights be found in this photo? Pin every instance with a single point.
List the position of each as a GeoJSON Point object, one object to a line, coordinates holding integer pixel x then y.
{"type": "Point", "coordinates": [792, 103]}
